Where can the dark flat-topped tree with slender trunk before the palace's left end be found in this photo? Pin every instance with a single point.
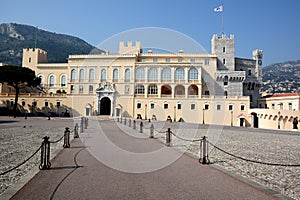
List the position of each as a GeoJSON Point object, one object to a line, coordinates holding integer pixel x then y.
{"type": "Point", "coordinates": [18, 77]}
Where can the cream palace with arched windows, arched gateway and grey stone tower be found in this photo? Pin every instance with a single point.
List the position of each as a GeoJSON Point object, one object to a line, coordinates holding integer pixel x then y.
{"type": "Point", "coordinates": [209, 88]}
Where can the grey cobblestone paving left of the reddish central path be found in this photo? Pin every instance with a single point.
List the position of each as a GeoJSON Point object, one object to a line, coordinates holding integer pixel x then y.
{"type": "Point", "coordinates": [20, 140]}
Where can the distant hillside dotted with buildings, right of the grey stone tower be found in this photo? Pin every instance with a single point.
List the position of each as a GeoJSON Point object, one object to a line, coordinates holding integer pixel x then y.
{"type": "Point", "coordinates": [281, 77]}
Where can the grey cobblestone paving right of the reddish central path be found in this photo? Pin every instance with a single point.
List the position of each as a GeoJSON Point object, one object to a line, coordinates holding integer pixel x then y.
{"type": "Point", "coordinates": [255, 144]}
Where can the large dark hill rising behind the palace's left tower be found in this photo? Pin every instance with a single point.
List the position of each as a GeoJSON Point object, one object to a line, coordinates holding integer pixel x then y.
{"type": "Point", "coordinates": [15, 37]}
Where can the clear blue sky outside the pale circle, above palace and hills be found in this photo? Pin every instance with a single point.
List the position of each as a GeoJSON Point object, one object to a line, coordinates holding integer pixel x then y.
{"type": "Point", "coordinates": [272, 26]}
